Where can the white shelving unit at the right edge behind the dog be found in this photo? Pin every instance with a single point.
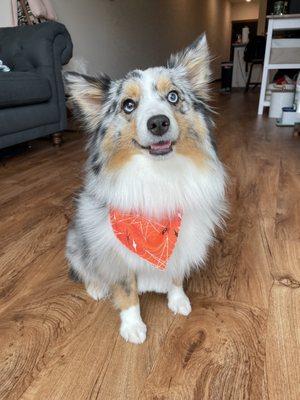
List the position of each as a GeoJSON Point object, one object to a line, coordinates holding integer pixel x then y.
{"type": "Point", "coordinates": [276, 22]}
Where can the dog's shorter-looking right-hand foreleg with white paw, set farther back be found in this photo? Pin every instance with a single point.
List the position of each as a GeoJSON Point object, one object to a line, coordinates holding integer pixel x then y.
{"type": "Point", "coordinates": [178, 302]}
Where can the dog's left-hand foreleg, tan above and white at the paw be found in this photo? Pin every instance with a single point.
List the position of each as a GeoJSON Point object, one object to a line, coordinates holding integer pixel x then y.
{"type": "Point", "coordinates": [126, 299]}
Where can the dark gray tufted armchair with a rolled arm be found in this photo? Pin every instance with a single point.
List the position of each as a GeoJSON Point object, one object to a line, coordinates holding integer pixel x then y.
{"type": "Point", "coordinates": [32, 99]}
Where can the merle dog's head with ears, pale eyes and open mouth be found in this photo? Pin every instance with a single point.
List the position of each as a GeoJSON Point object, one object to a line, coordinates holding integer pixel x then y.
{"type": "Point", "coordinates": [157, 113]}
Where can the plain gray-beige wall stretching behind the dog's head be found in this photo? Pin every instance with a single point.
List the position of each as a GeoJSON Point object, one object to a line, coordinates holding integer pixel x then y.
{"type": "Point", "coordinates": [116, 36]}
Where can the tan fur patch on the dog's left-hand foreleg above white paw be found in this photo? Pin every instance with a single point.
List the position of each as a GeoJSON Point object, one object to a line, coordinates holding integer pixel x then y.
{"type": "Point", "coordinates": [126, 295]}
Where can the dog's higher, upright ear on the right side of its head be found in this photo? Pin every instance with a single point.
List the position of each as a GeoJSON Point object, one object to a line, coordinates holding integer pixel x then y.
{"type": "Point", "coordinates": [195, 61]}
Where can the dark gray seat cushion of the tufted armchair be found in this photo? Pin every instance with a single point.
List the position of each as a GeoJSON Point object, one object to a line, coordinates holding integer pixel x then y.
{"type": "Point", "coordinates": [23, 88]}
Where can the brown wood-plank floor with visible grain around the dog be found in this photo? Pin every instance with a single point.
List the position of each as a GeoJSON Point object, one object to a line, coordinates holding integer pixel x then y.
{"type": "Point", "coordinates": [242, 339]}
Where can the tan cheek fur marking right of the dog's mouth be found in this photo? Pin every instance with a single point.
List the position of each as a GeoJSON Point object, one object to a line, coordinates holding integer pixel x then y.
{"type": "Point", "coordinates": [187, 145]}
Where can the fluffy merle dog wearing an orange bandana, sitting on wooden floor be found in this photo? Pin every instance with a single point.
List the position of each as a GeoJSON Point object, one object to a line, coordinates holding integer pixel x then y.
{"type": "Point", "coordinates": [154, 188]}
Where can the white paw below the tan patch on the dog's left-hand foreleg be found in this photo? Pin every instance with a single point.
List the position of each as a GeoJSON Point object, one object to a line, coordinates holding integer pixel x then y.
{"type": "Point", "coordinates": [132, 327]}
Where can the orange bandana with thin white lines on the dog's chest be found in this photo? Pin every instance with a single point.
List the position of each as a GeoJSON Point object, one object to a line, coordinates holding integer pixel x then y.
{"type": "Point", "coordinates": [151, 239]}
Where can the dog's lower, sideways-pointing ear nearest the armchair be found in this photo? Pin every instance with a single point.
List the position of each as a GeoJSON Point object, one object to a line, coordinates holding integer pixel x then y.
{"type": "Point", "coordinates": [87, 95]}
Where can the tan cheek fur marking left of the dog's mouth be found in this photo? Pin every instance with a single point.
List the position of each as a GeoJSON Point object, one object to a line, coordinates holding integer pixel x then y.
{"type": "Point", "coordinates": [119, 151]}
